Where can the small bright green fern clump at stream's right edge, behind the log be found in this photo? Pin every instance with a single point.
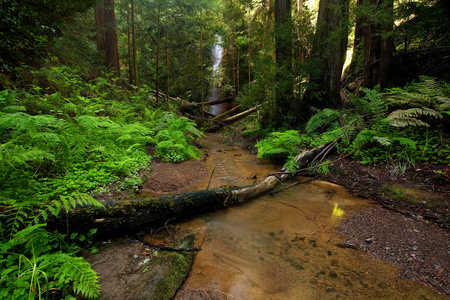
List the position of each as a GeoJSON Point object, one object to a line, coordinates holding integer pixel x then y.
{"type": "Point", "coordinates": [279, 145]}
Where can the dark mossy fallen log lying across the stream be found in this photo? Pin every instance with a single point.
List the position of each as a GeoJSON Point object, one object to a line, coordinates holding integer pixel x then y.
{"type": "Point", "coordinates": [121, 217]}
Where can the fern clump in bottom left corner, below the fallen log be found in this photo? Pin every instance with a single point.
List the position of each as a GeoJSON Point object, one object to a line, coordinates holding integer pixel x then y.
{"type": "Point", "coordinates": [33, 261]}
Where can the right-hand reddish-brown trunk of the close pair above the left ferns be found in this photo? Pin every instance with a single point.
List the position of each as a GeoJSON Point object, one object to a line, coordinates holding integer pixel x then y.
{"type": "Point", "coordinates": [111, 42]}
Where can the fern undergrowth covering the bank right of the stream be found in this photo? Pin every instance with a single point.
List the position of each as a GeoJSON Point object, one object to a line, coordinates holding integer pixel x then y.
{"type": "Point", "coordinates": [401, 126]}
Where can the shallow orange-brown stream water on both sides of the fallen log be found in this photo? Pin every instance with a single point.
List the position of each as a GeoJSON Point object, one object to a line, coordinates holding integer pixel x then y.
{"type": "Point", "coordinates": [283, 246]}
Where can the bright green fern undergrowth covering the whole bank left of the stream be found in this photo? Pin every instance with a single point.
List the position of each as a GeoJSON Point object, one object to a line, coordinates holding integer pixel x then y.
{"type": "Point", "coordinates": [61, 142]}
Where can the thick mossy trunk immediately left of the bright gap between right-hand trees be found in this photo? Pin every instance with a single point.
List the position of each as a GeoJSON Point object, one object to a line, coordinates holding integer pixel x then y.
{"type": "Point", "coordinates": [328, 53]}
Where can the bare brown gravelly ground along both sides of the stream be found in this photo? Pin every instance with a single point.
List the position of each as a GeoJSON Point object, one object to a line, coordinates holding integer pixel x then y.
{"type": "Point", "coordinates": [410, 227]}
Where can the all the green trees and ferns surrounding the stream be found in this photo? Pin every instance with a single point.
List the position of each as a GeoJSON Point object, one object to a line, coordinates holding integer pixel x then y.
{"type": "Point", "coordinates": [88, 98]}
